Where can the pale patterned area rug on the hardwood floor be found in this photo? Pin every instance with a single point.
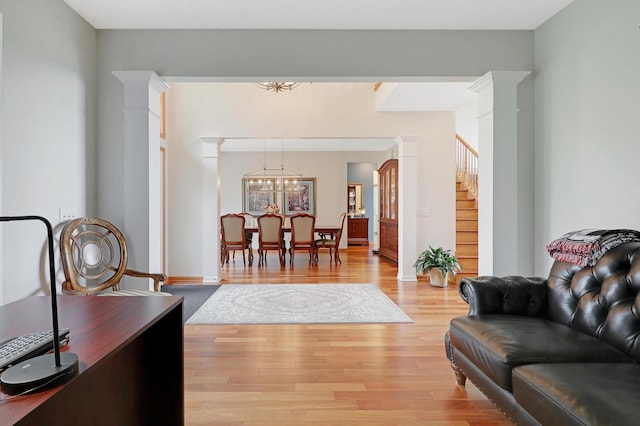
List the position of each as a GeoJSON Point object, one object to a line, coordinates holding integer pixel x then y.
{"type": "Point", "coordinates": [298, 304]}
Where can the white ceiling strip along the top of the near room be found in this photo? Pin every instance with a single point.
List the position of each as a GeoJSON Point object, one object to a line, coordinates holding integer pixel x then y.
{"type": "Point", "coordinates": [318, 14]}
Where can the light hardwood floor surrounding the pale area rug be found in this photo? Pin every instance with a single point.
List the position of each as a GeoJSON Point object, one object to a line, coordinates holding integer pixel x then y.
{"type": "Point", "coordinates": [355, 374]}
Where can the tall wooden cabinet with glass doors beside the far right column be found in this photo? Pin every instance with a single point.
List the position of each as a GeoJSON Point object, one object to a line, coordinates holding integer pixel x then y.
{"type": "Point", "coordinates": [388, 198]}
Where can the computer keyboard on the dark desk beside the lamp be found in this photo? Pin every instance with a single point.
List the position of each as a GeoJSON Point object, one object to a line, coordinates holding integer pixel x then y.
{"type": "Point", "coordinates": [17, 349]}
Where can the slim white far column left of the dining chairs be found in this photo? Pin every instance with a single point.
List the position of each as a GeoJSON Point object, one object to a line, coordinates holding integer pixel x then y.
{"type": "Point", "coordinates": [211, 209]}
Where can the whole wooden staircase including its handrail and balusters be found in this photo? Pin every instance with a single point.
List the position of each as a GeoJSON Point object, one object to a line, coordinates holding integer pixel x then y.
{"type": "Point", "coordinates": [466, 209]}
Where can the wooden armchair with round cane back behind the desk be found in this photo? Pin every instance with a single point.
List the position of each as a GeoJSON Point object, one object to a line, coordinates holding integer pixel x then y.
{"type": "Point", "coordinates": [93, 254]}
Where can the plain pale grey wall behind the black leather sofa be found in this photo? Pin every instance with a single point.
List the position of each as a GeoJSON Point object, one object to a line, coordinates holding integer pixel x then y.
{"type": "Point", "coordinates": [587, 123]}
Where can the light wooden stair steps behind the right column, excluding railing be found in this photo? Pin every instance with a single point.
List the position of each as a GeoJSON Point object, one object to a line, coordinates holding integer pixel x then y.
{"type": "Point", "coordinates": [466, 231]}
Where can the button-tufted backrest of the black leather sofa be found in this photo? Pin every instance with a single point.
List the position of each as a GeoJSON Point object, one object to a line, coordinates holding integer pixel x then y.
{"type": "Point", "coordinates": [603, 300]}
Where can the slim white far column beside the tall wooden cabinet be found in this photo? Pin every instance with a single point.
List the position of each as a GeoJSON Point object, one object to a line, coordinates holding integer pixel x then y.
{"type": "Point", "coordinates": [407, 206]}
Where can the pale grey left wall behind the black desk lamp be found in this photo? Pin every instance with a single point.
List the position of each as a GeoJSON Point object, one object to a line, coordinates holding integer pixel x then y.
{"type": "Point", "coordinates": [48, 130]}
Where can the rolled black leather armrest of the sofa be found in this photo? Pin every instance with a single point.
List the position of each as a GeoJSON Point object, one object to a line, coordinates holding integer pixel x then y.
{"type": "Point", "coordinates": [512, 295]}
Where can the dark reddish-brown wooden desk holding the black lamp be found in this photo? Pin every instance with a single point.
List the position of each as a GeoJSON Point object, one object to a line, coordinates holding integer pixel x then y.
{"type": "Point", "coordinates": [131, 361]}
